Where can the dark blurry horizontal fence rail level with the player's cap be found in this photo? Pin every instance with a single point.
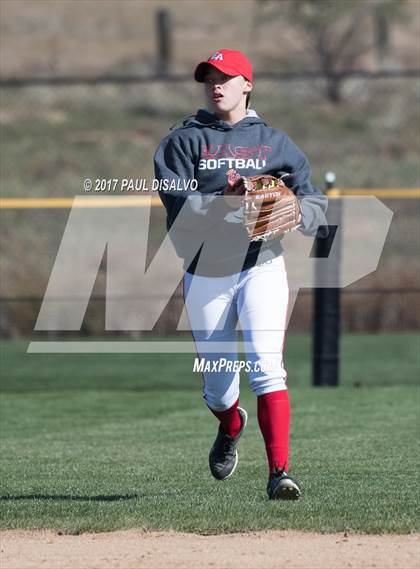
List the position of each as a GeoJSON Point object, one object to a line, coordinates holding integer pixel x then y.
{"type": "Point", "coordinates": [270, 75]}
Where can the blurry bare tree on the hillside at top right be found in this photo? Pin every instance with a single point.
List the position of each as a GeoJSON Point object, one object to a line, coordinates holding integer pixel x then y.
{"type": "Point", "coordinates": [336, 33]}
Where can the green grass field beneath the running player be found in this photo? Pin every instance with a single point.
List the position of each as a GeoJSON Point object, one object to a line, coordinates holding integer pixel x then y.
{"type": "Point", "coordinates": [100, 442]}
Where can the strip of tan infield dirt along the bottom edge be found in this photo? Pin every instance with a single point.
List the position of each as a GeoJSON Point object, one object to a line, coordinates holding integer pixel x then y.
{"type": "Point", "coordinates": [160, 550]}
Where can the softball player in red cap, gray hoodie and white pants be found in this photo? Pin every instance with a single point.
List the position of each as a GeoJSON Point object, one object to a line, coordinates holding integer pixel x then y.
{"type": "Point", "coordinates": [227, 279]}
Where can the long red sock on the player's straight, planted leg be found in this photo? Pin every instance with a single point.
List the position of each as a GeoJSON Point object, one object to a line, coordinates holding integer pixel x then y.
{"type": "Point", "coordinates": [274, 422]}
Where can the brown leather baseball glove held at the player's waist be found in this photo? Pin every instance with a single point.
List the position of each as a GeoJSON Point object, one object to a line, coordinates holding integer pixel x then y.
{"type": "Point", "coordinates": [271, 209]}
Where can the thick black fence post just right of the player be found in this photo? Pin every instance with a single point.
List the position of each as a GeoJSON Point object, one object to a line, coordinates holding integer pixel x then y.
{"type": "Point", "coordinates": [326, 324]}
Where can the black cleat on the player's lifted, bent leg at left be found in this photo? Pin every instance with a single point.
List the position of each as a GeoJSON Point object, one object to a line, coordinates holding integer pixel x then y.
{"type": "Point", "coordinates": [223, 456]}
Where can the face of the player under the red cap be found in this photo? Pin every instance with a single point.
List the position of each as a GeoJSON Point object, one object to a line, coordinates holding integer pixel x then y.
{"type": "Point", "coordinates": [225, 93]}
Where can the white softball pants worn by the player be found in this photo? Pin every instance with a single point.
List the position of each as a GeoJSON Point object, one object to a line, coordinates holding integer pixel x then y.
{"type": "Point", "coordinates": [258, 299]}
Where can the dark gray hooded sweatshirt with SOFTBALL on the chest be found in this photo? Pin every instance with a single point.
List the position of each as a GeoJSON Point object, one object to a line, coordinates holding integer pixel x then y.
{"type": "Point", "coordinates": [206, 233]}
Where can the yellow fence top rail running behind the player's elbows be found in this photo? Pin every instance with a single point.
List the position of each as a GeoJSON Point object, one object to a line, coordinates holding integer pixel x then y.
{"type": "Point", "coordinates": [146, 200]}
